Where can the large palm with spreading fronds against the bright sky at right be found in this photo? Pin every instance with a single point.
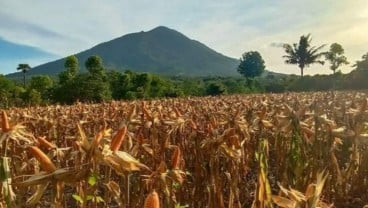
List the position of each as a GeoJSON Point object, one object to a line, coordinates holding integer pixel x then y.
{"type": "Point", "coordinates": [303, 54]}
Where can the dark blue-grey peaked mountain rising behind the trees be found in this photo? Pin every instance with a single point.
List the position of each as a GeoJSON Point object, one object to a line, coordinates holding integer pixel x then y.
{"type": "Point", "coordinates": [161, 50]}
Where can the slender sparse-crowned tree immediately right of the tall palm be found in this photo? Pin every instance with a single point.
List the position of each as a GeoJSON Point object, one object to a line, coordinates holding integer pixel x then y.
{"type": "Point", "coordinates": [336, 57]}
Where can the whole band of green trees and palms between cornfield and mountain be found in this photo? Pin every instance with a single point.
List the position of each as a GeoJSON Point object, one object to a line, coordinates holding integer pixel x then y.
{"type": "Point", "coordinates": [99, 84]}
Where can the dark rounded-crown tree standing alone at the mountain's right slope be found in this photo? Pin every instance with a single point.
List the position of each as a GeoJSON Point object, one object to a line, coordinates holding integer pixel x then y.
{"type": "Point", "coordinates": [251, 66]}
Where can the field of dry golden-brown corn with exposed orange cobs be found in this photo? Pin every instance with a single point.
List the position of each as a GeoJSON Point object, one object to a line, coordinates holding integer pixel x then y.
{"type": "Point", "coordinates": [276, 150]}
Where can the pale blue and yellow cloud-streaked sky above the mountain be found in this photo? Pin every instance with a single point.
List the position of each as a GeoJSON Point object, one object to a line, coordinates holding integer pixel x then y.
{"type": "Point", "coordinates": [46, 30]}
